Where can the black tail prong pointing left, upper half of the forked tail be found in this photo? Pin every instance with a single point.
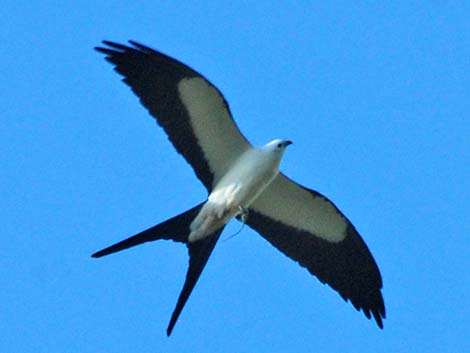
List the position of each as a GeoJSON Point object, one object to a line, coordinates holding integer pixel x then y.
{"type": "Point", "coordinates": [176, 228]}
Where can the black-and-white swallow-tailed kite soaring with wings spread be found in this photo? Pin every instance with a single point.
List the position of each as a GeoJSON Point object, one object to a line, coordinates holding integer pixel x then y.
{"type": "Point", "coordinates": [243, 182]}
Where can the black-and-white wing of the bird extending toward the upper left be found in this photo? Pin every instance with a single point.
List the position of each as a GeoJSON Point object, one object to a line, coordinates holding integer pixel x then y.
{"type": "Point", "coordinates": [192, 111]}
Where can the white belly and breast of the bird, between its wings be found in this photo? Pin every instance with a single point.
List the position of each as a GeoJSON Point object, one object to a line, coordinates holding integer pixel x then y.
{"type": "Point", "coordinates": [238, 188]}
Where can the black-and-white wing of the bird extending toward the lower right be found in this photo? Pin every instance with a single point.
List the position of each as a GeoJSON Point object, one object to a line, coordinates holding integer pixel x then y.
{"type": "Point", "coordinates": [308, 228]}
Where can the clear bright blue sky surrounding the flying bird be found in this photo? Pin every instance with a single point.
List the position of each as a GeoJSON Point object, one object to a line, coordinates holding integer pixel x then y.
{"type": "Point", "coordinates": [376, 99]}
